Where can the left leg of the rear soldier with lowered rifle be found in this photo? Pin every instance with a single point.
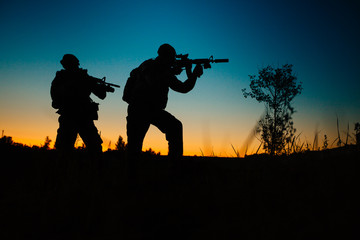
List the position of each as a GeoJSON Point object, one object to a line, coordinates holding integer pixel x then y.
{"type": "Point", "coordinates": [66, 134]}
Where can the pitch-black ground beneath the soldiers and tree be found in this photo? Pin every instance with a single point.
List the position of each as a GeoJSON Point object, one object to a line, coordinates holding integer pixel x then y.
{"type": "Point", "coordinates": [311, 195]}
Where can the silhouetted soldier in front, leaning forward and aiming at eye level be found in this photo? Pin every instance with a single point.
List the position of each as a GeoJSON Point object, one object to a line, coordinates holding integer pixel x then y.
{"type": "Point", "coordinates": [146, 92]}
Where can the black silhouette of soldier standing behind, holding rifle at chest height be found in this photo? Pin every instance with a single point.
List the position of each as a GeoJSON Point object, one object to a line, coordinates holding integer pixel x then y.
{"type": "Point", "coordinates": [70, 93]}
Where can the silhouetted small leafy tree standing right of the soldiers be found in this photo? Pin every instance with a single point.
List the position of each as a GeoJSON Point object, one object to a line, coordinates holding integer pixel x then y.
{"type": "Point", "coordinates": [276, 88]}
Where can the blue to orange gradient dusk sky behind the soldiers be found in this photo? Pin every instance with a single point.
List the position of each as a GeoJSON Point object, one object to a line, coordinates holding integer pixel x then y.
{"type": "Point", "coordinates": [110, 38]}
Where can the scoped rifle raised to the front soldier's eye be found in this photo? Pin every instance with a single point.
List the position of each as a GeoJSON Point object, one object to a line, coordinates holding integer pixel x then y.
{"type": "Point", "coordinates": [183, 59]}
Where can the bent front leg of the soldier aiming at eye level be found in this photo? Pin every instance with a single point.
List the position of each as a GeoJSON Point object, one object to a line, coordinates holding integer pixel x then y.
{"type": "Point", "coordinates": [173, 130]}
